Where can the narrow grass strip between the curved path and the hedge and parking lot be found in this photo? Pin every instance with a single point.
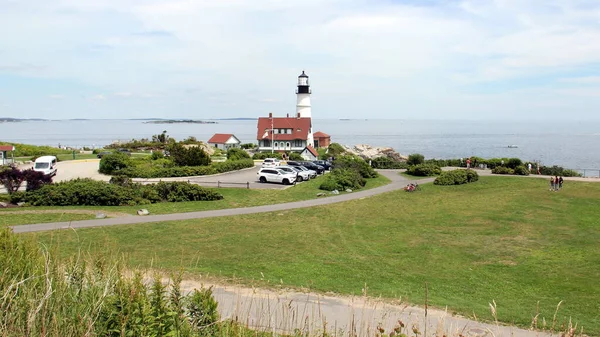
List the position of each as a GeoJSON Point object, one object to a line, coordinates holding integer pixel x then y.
{"type": "Point", "coordinates": [233, 198]}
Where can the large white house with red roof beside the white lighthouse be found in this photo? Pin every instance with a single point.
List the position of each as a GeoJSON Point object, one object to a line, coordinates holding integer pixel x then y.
{"type": "Point", "coordinates": [284, 133]}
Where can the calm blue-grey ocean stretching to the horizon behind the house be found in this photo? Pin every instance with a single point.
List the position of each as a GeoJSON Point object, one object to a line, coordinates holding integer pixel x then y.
{"type": "Point", "coordinates": [571, 144]}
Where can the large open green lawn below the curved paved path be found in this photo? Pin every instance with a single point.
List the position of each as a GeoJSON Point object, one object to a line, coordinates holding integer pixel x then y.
{"type": "Point", "coordinates": [506, 239]}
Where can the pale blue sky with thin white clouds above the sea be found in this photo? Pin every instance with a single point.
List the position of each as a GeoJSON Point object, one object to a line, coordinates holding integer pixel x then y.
{"type": "Point", "coordinates": [201, 59]}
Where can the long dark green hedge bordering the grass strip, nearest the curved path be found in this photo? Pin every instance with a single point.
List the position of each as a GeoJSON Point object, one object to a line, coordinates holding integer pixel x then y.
{"type": "Point", "coordinates": [88, 192]}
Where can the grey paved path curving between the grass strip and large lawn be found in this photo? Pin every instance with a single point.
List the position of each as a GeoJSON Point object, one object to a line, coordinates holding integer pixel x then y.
{"type": "Point", "coordinates": [397, 182]}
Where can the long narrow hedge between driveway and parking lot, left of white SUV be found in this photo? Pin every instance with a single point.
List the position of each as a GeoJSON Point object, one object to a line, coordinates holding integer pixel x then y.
{"type": "Point", "coordinates": [185, 171]}
